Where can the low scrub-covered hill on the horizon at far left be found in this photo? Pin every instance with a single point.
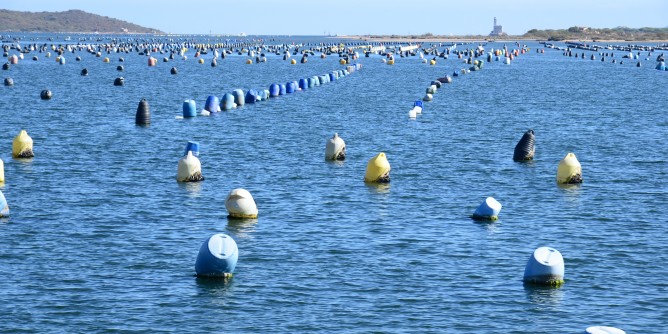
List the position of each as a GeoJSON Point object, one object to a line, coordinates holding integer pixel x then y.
{"type": "Point", "coordinates": [70, 21]}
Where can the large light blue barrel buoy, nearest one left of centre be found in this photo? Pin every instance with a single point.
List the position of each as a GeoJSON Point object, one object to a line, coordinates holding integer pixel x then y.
{"type": "Point", "coordinates": [217, 257]}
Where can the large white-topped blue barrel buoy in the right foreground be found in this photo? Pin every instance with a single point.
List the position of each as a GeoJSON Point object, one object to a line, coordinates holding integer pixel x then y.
{"type": "Point", "coordinates": [545, 267]}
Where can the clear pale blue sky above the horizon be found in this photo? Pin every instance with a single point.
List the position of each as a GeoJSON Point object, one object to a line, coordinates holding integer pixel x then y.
{"type": "Point", "coordinates": [359, 17]}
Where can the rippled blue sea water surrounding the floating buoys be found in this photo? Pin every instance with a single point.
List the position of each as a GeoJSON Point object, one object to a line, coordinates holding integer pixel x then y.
{"type": "Point", "coordinates": [102, 238]}
